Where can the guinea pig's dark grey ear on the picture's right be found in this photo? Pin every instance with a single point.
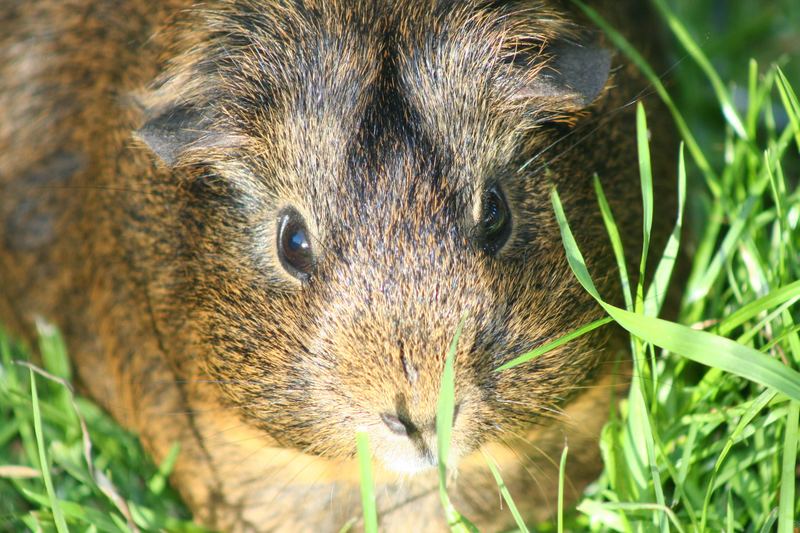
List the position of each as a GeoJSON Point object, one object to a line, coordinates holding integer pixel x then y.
{"type": "Point", "coordinates": [571, 78]}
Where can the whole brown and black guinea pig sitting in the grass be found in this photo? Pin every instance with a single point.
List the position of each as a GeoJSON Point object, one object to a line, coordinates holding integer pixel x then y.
{"type": "Point", "coordinates": [258, 224]}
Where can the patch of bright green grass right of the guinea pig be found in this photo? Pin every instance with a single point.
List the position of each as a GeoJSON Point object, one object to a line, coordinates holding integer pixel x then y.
{"type": "Point", "coordinates": [698, 448]}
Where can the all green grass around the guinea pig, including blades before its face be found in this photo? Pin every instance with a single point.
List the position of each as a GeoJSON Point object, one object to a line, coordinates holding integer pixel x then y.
{"type": "Point", "coordinates": [707, 438]}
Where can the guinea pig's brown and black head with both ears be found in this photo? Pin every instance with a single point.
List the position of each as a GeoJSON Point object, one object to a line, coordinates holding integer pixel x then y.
{"type": "Point", "coordinates": [355, 192]}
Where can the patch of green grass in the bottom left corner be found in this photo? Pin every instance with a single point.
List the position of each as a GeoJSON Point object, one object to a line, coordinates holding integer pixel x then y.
{"type": "Point", "coordinates": [64, 464]}
